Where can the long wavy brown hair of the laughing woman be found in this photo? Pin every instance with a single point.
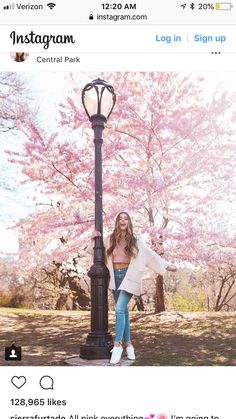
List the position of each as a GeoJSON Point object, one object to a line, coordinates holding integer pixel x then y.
{"type": "Point", "coordinates": [131, 248]}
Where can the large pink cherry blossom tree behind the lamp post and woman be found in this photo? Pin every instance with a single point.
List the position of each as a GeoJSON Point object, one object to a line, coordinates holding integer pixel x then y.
{"type": "Point", "coordinates": [167, 156]}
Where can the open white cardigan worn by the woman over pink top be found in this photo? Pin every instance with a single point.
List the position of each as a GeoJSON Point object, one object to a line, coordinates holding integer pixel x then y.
{"type": "Point", "coordinates": [133, 278]}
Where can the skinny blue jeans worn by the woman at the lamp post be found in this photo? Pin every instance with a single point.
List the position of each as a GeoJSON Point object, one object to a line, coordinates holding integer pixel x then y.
{"type": "Point", "coordinates": [122, 299]}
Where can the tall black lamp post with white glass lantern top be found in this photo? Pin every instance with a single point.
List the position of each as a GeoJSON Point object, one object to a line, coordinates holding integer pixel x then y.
{"type": "Point", "coordinates": [98, 98]}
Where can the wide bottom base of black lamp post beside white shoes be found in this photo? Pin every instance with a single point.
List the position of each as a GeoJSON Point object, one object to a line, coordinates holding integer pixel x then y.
{"type": "Point", "coordinates": [98, 346]}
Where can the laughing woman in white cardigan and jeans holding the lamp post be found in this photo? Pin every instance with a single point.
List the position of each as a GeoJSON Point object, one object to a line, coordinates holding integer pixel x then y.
{"type": "Point", "coordinates": [126, 259]}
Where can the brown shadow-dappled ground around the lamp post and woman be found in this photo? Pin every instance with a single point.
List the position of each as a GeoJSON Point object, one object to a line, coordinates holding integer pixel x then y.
{"type": "Point", "coordinates": [49, 337]}
